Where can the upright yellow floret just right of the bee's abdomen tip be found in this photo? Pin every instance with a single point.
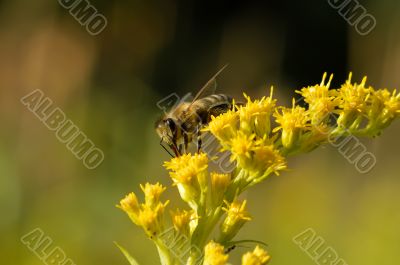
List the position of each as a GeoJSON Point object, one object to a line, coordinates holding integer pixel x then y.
{"type": "Point", "coordinates": [255, 115]}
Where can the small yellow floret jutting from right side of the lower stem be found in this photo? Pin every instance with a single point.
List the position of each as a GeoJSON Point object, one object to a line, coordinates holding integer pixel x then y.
{"type": "Point", "coordinates": [236, 217]}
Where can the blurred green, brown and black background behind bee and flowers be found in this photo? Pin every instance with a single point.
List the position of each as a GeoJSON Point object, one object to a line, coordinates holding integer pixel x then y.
{"type": "Point", "coordinates": [109, 84]}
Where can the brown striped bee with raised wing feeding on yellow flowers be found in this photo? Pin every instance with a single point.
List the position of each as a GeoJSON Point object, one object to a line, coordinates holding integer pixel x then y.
{"type": "Point", "coordinates": [178, 127]}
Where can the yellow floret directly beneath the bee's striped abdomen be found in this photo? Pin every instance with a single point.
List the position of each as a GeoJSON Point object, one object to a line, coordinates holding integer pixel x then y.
{"type": "Point", "coordinates": [224, 126]}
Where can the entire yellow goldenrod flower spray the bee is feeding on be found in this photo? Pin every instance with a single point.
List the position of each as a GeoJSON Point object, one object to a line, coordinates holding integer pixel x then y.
{"type": "Point", "coordinates": [260, 136]}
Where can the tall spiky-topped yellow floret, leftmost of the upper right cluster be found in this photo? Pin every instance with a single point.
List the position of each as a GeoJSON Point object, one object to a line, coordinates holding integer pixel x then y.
{"type": "Point", "coordinates": [321, 100]}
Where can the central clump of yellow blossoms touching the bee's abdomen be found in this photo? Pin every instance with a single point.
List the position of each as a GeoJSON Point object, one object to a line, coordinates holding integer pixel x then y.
{"type": "Point", "coordinates": [246, 133]}
